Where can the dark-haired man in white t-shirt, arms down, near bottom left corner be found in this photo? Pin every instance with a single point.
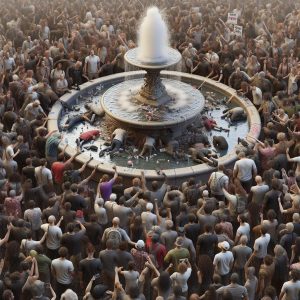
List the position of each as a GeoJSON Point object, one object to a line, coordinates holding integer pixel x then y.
{"type": "Point", "coordinates": [62, 270]}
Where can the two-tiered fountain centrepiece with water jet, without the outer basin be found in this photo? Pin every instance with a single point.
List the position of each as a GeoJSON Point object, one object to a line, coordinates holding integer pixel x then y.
{"type": "Point", "coordinates": [153, 104]}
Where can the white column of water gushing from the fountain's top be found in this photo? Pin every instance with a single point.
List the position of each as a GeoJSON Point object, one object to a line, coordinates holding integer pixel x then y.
{"type": "Point", "coordinates": [153, 38]}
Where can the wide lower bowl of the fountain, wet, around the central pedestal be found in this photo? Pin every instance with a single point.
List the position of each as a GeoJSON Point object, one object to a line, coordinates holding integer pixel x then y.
{"type": "Point", "coordinates": [125, 110]}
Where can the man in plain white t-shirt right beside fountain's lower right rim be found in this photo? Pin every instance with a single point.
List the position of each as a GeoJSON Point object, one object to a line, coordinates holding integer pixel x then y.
{"type": "Point", "coordinates": [245, 170]}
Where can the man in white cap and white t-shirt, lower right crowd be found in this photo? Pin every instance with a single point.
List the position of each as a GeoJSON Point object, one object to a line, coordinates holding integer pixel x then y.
{"type": "Point", "coordinates": [223, 262]}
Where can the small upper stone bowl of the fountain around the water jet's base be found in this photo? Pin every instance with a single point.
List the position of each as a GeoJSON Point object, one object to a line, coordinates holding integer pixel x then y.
{"type": "Point", "coordinates": [173, 58]}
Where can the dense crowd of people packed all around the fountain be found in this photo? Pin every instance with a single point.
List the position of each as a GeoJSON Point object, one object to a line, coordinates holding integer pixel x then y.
{"type": "Point", "coordinates": [236, 236]}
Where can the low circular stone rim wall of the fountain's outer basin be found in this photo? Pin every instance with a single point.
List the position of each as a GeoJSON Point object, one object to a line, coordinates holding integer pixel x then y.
{"type": "Point", "coordinates": [174, 174]}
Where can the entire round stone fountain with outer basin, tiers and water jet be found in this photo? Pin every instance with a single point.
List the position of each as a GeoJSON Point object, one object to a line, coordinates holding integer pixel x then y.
{"type": "Point", "coordinates": [153, 102]}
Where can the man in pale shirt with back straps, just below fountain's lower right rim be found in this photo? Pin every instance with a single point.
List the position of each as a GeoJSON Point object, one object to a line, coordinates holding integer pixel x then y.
{"type": "Point", "coordinates": [217, 181]}
